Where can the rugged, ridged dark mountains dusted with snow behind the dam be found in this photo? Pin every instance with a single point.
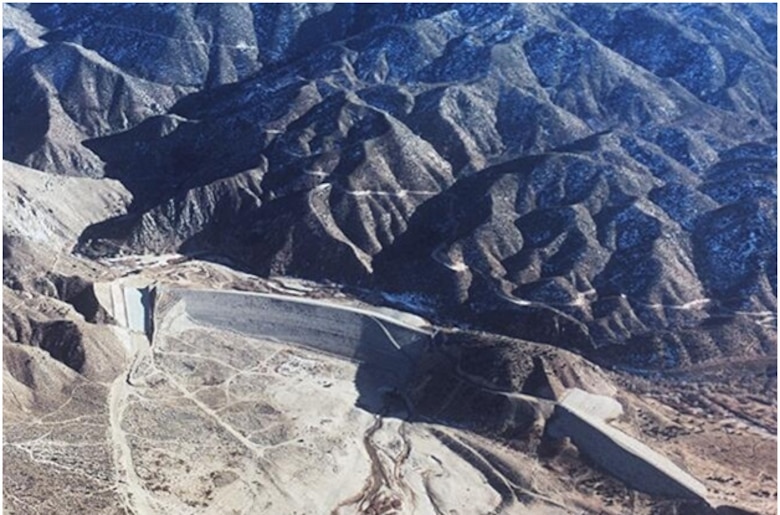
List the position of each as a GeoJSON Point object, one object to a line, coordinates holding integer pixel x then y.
{"type": "Point", "coordinates": [600, 177]}
